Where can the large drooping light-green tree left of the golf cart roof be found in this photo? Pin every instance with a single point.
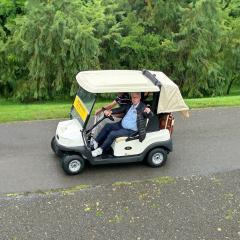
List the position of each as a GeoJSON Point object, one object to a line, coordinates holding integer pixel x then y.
{"type": "Point", "coordinates": [52, 42]}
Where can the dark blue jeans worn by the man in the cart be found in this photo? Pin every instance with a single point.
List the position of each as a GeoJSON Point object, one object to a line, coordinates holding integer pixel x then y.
{"type": "Point", "coordinates": [110, 132]}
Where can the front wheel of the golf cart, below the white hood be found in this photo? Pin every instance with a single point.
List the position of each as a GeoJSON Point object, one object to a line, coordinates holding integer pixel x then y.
{"type": "Point", "coordinates": [72, 164]}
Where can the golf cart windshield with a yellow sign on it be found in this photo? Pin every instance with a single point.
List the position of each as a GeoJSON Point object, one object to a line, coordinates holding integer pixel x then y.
{"type": "Point", "coordinates": [82, 105]}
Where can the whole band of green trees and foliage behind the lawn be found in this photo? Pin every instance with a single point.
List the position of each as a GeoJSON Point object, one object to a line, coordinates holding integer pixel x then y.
{"type": "Point", "coordinates": [45, 43]}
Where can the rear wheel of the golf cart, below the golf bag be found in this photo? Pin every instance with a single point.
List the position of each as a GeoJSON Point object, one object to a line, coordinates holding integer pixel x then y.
{"type": "Point", "coordinates": [157, 157]}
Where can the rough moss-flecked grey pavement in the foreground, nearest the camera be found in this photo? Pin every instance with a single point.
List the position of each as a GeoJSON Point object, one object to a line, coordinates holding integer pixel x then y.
{"type": "Point", "coordinates": [166, 208]}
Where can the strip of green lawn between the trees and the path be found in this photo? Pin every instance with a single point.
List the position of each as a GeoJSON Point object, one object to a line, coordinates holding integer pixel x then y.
{"type": "Point", "coordinates": [13, 111]}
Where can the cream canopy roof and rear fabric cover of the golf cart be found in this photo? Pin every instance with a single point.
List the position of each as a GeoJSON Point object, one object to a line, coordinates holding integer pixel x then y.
{"type": "Point", "coordinates": [109, 81]}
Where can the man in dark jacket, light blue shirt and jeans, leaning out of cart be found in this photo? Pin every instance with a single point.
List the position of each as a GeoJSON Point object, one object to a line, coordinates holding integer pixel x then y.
{"type": "Point", "coordinates": [133, 120]}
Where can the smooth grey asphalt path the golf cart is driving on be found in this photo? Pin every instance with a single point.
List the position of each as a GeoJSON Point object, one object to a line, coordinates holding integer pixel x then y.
{"type": "Point", "coordinates": [204, 144]}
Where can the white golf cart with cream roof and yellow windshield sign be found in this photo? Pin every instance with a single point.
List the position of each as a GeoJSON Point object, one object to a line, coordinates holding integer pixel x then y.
{"type": "Point", "coordinates": [72, 139]}
